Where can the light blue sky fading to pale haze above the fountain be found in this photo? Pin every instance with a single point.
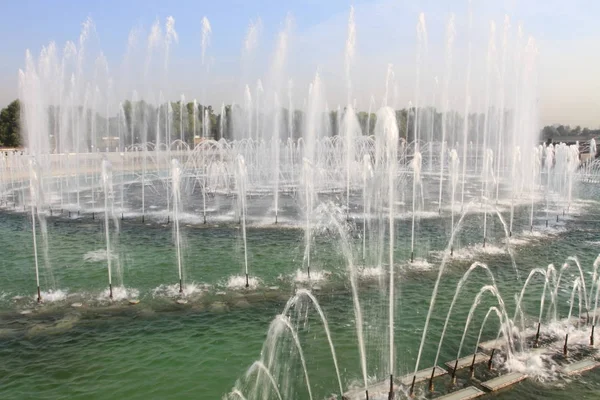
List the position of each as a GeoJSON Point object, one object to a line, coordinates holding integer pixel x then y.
{"type": "Point", "coordinates": [566, 34]}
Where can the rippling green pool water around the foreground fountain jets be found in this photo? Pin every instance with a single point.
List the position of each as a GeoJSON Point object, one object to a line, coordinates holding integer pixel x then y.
{"type": "Point", "coordinates": [159, 349]}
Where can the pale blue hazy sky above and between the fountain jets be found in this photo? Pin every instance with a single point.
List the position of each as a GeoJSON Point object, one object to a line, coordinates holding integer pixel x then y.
{"type": "Point", "coordinates": [567, 34]}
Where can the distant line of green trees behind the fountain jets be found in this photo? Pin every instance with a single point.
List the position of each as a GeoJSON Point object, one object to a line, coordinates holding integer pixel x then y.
{"type": "Point", "coordinates": [138, 122]}
